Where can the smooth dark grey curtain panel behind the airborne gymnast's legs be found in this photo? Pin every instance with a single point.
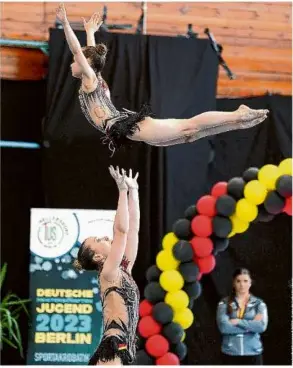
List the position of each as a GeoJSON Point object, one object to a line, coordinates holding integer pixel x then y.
{"type": "Point", "coordinates": [183, 84]}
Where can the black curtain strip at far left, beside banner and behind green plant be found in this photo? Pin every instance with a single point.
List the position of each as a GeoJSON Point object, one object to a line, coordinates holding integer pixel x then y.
{"type": "Point", "coordinates": [22, 110]}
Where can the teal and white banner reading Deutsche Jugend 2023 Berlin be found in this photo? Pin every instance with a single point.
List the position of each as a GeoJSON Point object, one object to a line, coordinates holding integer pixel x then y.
{"type": "Point", "coordinates": [65, 318]}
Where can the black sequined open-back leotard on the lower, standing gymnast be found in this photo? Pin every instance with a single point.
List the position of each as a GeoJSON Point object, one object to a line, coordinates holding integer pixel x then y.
{"type": "Point", "coordinates": [120, 301]}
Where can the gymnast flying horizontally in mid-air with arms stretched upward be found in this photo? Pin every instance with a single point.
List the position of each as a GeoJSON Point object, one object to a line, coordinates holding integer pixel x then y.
{"type": "Point", "coordinates": [118, 126]}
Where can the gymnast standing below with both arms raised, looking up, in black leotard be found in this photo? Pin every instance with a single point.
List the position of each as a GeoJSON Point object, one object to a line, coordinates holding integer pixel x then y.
{"type": "Point", "coordinates": [113, 261]}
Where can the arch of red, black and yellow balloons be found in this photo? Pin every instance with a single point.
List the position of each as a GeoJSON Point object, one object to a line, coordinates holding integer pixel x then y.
{"type": "Point", "coordinates": [188, 252]}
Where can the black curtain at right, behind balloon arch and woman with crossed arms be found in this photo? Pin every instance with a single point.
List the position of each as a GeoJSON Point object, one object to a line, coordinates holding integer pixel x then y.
{"type": "Point", "coordinates": [265, 248]}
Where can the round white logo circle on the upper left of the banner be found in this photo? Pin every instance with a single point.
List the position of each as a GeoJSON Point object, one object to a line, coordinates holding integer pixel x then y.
{"type": "Point", "coordinates": [54, 236]}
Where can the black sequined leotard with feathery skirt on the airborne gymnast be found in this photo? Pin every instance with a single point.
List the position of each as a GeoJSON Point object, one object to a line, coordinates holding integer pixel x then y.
{"type": "Point", "coordinates": [103, 115]}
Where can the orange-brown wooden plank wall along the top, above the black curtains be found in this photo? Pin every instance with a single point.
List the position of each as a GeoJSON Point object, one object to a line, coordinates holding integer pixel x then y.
{"type": "Point", "coordinates": [256, 37]}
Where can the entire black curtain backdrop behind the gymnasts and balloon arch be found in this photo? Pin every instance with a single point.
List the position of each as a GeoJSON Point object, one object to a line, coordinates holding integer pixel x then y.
{"type": "Point", "coordinates": [74, 163]}
